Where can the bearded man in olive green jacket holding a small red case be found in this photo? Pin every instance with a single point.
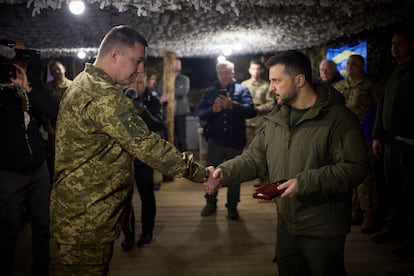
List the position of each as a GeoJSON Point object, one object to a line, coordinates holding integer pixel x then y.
{"type": "Point", "coordinates": [316, 143]}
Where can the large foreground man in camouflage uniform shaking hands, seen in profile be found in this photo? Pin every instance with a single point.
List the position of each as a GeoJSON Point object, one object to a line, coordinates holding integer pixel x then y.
{"type": "Point", "coordinates": [98, 134]}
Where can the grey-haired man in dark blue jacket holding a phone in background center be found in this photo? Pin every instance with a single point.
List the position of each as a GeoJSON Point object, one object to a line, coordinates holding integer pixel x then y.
{"type": "Point", "coordinates": [224, 108]}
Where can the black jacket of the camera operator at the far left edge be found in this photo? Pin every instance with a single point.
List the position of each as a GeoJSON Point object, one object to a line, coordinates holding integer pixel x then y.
{"type": "Point", "coordinates": [21, 146]}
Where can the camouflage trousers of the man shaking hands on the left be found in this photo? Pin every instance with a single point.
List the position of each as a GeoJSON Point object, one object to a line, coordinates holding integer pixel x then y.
{"type": "Point", "coordinates": [86, 260]}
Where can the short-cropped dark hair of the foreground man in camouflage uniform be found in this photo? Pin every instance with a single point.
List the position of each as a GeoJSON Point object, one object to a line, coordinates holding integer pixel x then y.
{"type": "Point", "coordinates": [120, 36]}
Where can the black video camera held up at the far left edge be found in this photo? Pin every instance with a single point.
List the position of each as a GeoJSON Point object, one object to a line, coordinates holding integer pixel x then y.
{"type": "Point", "coordinates": [9, 54]}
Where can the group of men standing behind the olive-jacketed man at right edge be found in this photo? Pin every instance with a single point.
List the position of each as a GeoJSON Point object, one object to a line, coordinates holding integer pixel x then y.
{"type": "Point", "coordinates": [380, 202]}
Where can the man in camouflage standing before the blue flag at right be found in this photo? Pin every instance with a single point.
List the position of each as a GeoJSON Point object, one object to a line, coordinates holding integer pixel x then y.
{"type": "Point", "coordinates": [361, 95]}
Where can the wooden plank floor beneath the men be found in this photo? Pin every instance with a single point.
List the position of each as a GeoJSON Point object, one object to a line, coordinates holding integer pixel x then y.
{"type": "Point", "coordinates": [187, 244]}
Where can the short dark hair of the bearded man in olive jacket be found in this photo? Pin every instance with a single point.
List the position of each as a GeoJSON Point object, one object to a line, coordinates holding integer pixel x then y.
{"type": "Point", "coordinates": [295, 63]}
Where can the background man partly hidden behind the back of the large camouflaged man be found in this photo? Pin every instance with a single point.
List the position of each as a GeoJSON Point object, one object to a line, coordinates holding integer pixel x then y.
{"type": "Point", "coordinates": [56, 88]}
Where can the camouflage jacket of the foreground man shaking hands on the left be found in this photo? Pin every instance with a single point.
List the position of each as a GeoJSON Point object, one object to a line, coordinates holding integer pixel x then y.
{"type": "Point", "coordinates": [98, 134]}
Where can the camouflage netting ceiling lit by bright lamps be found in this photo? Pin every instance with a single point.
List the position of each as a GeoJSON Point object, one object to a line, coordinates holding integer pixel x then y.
{"type": "Point", "coordinates": [195, 28]}
